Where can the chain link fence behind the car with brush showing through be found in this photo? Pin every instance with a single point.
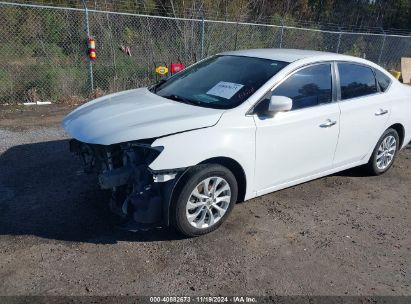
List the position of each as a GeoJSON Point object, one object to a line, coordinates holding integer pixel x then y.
{"type": "Point", "coordinates": [43, 49]}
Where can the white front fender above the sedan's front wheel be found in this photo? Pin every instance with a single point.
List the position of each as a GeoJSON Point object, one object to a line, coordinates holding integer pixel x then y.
{"type": "Point", "coordinates": [231, 138]}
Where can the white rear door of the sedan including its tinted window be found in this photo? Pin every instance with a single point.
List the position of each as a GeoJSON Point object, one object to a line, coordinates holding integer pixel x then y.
{"type": "Point", "coordinates": [364, 113]}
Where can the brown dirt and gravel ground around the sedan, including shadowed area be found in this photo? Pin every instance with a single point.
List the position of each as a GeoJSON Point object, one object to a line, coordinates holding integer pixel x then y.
{"type": "Point", "coordinates": [346, 234]}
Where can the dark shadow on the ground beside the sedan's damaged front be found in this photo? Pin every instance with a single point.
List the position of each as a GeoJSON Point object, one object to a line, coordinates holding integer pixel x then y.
{"type": "Point", "coordinates": [44, 192]}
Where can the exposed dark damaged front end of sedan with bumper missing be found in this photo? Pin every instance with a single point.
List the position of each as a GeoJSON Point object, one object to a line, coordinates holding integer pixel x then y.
{"type": "Point", "coordinates": [140, 197]}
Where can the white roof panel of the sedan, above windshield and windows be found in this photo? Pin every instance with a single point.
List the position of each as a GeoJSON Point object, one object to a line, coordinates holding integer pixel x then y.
{"type": "Point", "coordinates": [291, 55]}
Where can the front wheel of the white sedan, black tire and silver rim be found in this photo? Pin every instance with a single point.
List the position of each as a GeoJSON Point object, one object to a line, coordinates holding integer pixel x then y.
{"type": "Point", "coordinates": [205, 200]}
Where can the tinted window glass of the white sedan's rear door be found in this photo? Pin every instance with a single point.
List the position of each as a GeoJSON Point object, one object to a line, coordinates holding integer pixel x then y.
{"type": "Point", "coordinates": [356, 80]}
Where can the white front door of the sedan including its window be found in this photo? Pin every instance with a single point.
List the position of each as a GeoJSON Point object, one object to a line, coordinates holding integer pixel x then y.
{"type": "Point", "coordinates": [300, 143]}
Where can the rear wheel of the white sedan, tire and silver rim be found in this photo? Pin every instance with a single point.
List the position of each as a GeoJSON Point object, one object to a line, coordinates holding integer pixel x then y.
{"type": "Point", "coordinates": [384, 153]}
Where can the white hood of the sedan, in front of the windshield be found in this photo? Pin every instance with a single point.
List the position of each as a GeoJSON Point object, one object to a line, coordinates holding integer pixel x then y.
{"type": "Point", "coordinates": [133, 115]}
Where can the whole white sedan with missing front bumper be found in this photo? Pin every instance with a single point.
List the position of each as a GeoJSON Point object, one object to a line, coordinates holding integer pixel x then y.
{"type": "Point", "coordinates": [236, 126]}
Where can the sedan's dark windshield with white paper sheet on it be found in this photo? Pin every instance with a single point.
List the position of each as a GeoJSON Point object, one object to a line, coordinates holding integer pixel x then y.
{"type": "Point", "coordinates": [221, 82]}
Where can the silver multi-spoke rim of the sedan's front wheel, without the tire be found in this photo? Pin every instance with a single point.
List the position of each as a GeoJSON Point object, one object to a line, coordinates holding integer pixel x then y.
{"type": "Point", "coordinates": [208, 202]}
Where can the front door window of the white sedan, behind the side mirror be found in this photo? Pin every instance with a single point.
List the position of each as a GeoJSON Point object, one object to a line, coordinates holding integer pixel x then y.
{"type": "Point", "coordinates": [308, 87]}
